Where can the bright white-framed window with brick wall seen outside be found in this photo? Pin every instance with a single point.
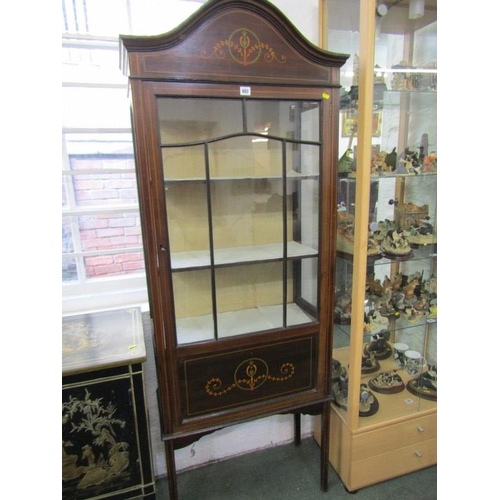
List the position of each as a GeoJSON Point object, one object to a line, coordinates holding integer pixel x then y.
{"type": "Point", "coordinates": [102, 257]}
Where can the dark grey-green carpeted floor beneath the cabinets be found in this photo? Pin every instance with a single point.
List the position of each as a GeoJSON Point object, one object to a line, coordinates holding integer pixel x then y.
{"type": "Point", "coordinates": [288, 472]}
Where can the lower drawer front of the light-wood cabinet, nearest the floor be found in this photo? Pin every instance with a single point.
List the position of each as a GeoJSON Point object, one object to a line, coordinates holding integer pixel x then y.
{"type": "Point", "coordinates": [392, 464]}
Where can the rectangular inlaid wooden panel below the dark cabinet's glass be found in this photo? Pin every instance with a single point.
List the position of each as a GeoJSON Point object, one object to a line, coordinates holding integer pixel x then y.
{"type": "Point", "coordinates": [230, 379]}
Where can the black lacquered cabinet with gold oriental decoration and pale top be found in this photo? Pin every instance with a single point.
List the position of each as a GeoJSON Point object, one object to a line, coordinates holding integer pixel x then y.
{"type": "Point", "coordinates": [106, 450]}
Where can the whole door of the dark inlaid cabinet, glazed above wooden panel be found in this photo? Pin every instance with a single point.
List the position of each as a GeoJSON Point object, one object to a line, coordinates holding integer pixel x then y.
{"type": "Point", "coordinates": [236, 192]}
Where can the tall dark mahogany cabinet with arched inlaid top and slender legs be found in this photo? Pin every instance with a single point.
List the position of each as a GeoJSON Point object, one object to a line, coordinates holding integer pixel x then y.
{"type": "Point", "coordinates": [235, 118]}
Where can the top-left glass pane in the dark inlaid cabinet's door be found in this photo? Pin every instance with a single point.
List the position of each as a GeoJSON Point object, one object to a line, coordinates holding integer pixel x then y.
{"type": "Point", "coordinates": [195, 120]}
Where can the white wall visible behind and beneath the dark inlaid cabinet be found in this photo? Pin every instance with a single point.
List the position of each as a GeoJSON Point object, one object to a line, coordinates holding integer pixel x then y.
{"type": "Point", "coordinates": [259, 434]}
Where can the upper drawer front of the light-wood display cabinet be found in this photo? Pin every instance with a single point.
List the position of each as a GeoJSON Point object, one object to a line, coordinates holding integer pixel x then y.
{"type": "Point", "coordinates": [393, 437]}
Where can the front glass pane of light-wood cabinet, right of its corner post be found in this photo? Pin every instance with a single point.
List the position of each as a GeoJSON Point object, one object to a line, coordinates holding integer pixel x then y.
{"type": "Point", "coordinates": [407, 205]}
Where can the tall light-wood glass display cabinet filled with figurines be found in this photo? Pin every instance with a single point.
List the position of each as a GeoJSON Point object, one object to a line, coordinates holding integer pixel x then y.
{"type": "Point", "coordinates": [384, 375]}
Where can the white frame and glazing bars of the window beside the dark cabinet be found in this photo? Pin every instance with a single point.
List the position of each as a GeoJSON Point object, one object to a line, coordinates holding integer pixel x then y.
{"type": "Point", "coordinates": [96, 292]}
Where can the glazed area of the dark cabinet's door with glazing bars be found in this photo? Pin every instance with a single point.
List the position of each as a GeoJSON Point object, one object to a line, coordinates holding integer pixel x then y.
{"type": "Point", "coordinates": [241, 182]}
